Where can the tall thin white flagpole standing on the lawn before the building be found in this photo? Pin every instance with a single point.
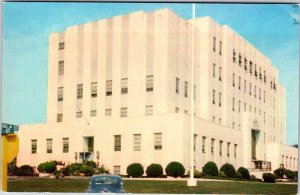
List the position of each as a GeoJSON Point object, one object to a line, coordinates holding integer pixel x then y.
{"type": "Point", "coordinates": [192, 181]}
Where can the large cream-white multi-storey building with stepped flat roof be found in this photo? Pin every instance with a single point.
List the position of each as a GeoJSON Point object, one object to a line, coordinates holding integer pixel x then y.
{"type": "Point", "coordinates": [119, 92]}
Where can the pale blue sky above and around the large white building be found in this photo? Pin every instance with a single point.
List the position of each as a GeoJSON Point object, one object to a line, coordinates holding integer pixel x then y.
{"type": "Point", "coordinates": [26, 27]}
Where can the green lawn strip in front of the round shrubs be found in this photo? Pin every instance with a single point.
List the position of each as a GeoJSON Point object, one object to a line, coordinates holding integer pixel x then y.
{"type": "Point", "coordinates": [135, 186]}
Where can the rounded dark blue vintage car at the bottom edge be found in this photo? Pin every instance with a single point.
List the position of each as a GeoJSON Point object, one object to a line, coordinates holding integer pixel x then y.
{"type": "Point", "coordinates": [106, 184]}
